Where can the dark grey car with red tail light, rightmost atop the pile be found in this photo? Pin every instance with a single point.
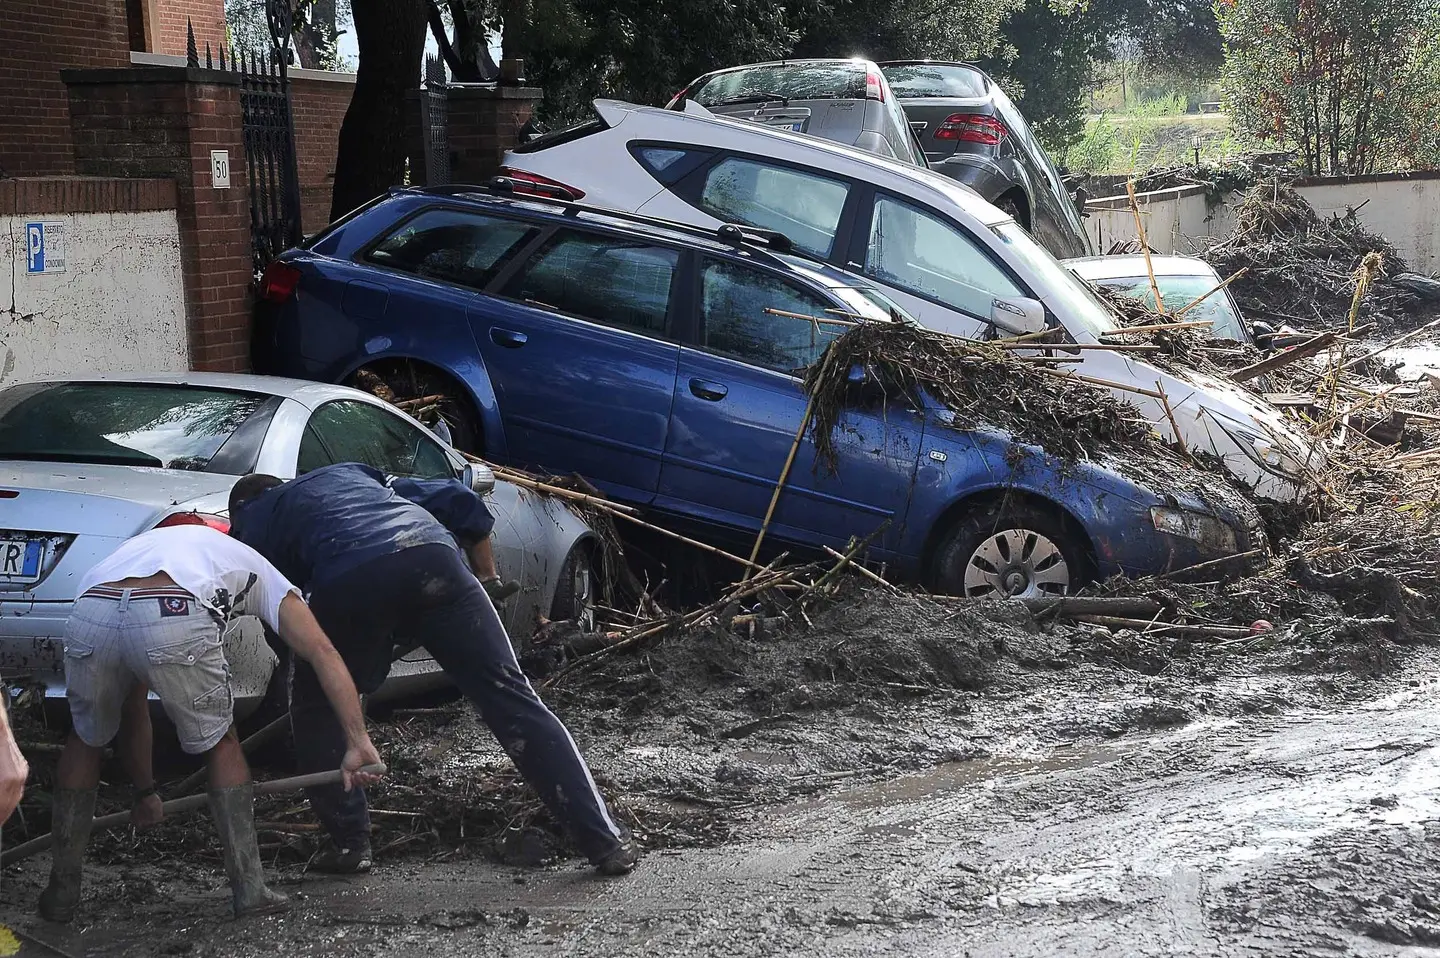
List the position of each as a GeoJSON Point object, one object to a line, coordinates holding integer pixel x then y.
{"type": "Point", "coordinates": [971, 132]}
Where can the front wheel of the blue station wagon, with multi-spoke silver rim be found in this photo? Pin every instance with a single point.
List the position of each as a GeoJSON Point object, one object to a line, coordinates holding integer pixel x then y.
{"type": "Point", "coordinates": [1012, 551]}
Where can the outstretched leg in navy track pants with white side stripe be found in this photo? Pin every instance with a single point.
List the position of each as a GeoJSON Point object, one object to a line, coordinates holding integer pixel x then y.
{"type": "Point", "coordinates": [460, 627]}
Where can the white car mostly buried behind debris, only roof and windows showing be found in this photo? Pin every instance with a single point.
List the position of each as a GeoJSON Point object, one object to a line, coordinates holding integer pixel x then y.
{"type": "Point", "coordinates": [1182, 282]}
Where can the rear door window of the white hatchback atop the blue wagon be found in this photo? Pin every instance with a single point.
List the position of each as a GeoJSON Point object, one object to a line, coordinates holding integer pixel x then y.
{"type": "Point", "coordinates": [804, 207]}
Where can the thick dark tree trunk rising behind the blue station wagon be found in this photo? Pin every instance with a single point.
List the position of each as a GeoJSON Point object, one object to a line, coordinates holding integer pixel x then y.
{"type": "Point", "coordinates": [391, 35]}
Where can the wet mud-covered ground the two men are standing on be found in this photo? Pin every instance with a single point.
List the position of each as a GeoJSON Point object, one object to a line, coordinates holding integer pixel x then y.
{"type": "Point", "coordinates": [899, 777]}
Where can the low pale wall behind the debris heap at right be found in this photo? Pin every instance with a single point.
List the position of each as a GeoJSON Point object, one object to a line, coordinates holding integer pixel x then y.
{"type": "Point", "coordinates": [1406, 212]}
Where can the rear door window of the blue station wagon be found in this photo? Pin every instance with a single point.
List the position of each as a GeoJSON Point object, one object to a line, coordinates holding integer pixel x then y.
{"type": "Point", "coordinates": [604, 279]}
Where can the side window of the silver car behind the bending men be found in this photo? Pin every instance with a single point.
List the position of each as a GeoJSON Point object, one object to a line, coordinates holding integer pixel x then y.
{"type": "Point", "coordinates": [349, 431]}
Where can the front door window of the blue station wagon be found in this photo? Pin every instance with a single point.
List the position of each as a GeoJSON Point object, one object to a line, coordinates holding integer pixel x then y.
{"type": "Point", "coordinates": [761, 319]}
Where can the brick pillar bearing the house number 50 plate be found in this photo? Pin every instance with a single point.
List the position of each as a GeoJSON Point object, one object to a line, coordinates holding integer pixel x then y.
{"type": "Point", "coordinates": [163, 122]}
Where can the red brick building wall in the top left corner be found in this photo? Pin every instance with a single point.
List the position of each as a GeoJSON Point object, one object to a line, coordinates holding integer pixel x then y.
{"type": "Point", "coordinates": [38, 38]}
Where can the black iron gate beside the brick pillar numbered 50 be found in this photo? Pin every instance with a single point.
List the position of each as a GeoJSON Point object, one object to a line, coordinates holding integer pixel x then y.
{"type": "Point", "coordinates": [269, 130]}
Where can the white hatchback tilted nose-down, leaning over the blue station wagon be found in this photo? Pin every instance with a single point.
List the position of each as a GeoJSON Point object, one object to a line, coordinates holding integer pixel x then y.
{"type": "Point", "coordinates": [955, 263]}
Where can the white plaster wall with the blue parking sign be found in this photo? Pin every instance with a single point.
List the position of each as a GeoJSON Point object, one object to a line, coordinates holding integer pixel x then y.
{"type": "Point", "coordinates": [119, 306]}
